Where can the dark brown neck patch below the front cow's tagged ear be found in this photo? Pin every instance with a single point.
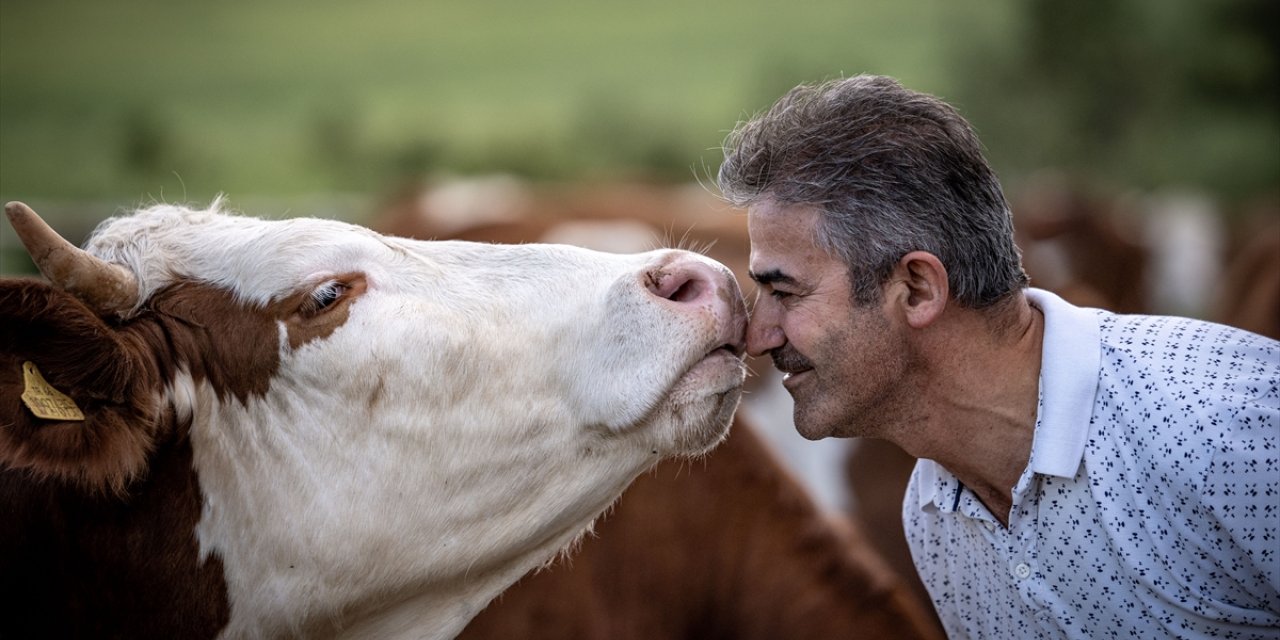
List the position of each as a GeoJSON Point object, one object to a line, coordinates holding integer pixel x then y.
{"type": "Point", "coordinates": [92, 565]}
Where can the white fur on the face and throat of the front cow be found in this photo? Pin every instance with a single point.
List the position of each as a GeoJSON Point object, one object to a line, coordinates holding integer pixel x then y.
{"type": "Point", "coordinates": [519, 391]}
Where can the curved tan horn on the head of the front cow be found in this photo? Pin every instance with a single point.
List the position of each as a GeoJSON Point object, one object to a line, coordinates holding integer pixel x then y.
{"type": "Point", "coordinates": [106, 287]}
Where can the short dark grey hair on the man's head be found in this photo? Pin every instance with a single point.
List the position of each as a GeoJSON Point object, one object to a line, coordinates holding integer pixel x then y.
{"type": "Point", "coordinates": [893, 172]}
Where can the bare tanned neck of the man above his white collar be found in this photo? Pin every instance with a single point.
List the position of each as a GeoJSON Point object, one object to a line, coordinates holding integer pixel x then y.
{"type": "Point", "coordinates": [982, 395]}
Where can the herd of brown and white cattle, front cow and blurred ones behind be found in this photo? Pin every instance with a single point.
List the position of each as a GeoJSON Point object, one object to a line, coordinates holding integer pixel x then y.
{"type": "Point", "coordinates": [252, 458]}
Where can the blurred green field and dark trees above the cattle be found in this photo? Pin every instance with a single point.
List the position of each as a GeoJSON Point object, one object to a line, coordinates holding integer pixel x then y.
{"type": "Point", "coordinates": [138, 100]}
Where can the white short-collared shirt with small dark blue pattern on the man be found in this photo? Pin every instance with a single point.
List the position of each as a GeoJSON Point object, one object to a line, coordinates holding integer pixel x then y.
{"type": "Point", "coordinates": [1151, 502]}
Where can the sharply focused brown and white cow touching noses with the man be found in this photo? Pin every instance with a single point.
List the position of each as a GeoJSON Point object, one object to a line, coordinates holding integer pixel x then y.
{"type": "Point", "coordinates": [303, 428]}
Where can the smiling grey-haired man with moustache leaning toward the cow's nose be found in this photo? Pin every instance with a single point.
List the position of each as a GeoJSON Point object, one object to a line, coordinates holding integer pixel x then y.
{"type": "Point", "coordinates": [1081, 474]}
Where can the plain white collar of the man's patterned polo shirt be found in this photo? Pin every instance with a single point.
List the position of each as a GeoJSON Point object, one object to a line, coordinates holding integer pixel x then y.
{"type": "Point", "coordinates": [1071, 360]}
